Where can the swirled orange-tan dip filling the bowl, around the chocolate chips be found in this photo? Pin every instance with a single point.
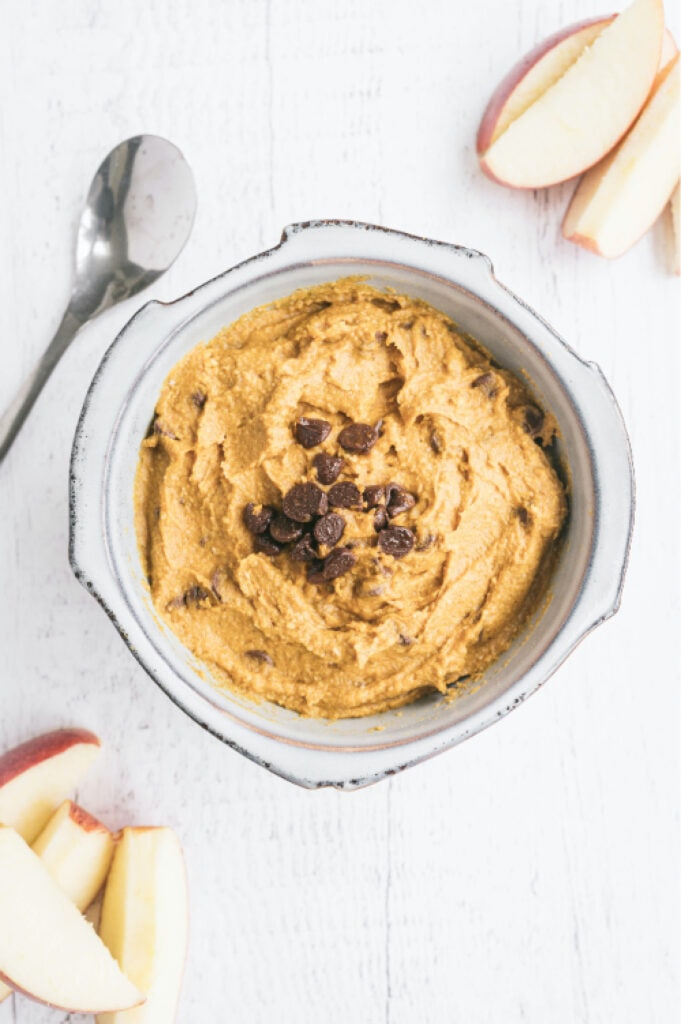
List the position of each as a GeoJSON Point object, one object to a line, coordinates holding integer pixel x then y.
{"type": "Point", "coordinates": [460, 435]}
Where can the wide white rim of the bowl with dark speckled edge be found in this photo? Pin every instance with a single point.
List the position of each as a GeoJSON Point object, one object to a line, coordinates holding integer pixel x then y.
{"type": "Point", "coordinates": [315, 765]}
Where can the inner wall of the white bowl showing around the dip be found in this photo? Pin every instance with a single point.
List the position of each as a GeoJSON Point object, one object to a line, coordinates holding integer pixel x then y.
{"type": "Point", "coordinates": [431, 715]}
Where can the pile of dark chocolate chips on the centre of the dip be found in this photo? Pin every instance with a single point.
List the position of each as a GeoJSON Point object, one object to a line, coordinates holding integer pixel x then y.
{"type": "Point", "coordinates": [307, 520]}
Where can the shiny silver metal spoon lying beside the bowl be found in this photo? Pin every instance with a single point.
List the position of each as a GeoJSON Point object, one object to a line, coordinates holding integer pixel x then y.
{"type": "Point", "coordinates": [139, 216]}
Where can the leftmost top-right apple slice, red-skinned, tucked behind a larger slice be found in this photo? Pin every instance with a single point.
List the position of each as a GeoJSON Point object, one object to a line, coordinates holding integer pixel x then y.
{"type": "Point", "coordinates": [534, 75]}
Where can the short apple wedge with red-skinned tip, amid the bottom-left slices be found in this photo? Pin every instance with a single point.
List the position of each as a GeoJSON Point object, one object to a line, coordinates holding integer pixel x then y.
{"type": "Point", "coordinates": [77, 850]}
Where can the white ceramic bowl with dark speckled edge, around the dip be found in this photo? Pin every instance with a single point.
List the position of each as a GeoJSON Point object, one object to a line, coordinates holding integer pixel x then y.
{"type": "Point", "coordinates": [593, 446]}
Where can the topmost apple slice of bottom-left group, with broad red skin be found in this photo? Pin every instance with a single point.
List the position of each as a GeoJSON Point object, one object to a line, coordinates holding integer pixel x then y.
{"type": "Point", "coordinates": [38, 776]}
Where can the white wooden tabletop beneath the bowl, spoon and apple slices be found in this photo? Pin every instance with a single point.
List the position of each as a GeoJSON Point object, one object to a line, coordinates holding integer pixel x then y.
{"type": "Point", "coordinates": [529, 876]}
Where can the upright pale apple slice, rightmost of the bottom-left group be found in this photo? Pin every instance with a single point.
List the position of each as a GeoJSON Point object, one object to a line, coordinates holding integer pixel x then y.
{"type": "Point", "coordinates": [145, 921]}
